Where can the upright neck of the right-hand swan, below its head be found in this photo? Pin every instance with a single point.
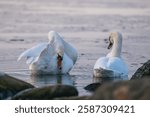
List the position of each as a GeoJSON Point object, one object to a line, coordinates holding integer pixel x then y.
{"type": "Point", "coordinates": [116, 49]}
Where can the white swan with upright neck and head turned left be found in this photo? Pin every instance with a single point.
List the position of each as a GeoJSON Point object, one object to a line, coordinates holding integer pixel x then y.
{"type": "Point", "coordinates": [112, 65]}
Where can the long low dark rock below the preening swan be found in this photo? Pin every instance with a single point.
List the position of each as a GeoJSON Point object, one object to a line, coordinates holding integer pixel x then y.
{"type": "Point", "coordinates": [47, 93]}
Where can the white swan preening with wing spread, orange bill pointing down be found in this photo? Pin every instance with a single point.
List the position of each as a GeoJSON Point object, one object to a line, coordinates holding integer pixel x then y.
{"type": "Point", "coordinates": [54, 57]}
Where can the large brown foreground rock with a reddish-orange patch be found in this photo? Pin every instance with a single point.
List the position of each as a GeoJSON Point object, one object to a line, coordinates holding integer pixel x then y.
{"type": "Point", "coordinates": [124, 90]}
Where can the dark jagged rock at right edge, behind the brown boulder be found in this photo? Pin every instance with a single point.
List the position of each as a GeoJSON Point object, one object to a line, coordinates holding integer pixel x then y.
{"type": "Point", "coordinates": [142, 72]}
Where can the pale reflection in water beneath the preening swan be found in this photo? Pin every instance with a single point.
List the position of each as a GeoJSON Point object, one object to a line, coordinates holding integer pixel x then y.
{"type": "Point", "coordinates": [43, 80]}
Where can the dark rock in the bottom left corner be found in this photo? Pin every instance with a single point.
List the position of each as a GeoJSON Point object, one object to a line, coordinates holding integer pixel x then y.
{"type": "Point", "coordinates": [9, 86]}
